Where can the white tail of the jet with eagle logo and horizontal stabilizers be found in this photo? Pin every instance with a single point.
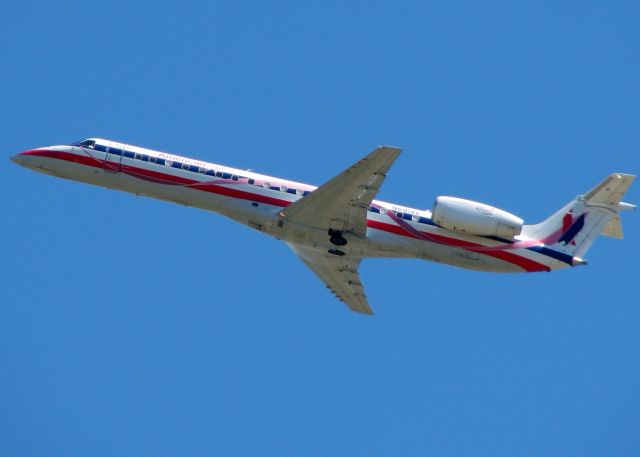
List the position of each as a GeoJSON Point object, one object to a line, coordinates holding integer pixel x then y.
{"type": "Point", "coordinates": [574, 227]}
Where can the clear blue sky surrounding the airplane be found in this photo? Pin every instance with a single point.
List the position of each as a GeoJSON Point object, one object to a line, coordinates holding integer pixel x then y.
{"type": "Point", "coordinates": [131, 326]}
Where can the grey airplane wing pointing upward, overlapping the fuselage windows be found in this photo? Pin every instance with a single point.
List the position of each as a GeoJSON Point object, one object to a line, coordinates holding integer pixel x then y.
{"type": "Point", "coordinates": [342, 203]}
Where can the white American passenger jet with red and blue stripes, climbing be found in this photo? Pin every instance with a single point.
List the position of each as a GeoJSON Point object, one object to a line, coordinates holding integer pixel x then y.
{"type": "Point", "coordinates": [332, 228]}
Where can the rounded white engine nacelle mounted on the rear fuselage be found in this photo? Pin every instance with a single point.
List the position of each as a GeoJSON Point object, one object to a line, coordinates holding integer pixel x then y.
{"type": "Point", "coordinates": [474, 218]}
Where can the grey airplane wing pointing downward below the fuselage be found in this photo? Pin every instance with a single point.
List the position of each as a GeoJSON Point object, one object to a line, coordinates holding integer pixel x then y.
{"type": "Point", "coordinates": [339, 274]}
